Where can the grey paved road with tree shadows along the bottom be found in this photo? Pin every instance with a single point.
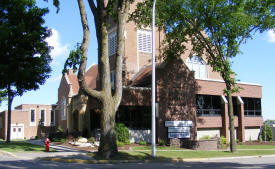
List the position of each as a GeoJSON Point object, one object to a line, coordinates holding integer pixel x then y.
{"type": "Point", "coordinates": [8, 162]}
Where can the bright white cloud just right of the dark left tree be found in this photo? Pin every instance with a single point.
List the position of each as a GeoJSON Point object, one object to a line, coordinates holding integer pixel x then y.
{"type": "Point", "coordinates": [59, 50]}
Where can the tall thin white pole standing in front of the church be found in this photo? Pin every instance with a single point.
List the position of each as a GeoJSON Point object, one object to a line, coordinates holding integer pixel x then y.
{"type": "Point", "coordinates": [153, 84]}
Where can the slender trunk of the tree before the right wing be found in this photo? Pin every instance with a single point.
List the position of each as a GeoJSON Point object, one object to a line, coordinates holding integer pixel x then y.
{"type": "Point", "coordinates": [231, 120]}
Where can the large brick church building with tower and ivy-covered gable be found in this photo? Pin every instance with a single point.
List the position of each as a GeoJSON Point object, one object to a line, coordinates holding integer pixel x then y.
{"type": "Point", "coordinates": [187, 89]}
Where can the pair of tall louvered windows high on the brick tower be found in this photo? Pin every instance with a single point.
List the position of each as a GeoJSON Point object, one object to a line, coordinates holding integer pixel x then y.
{"type": "Point", "coordinates": [144, 41]}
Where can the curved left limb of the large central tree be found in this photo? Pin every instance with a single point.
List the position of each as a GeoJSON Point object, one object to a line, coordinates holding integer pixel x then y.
{"type": "Point", "coordinates": [84, 49]}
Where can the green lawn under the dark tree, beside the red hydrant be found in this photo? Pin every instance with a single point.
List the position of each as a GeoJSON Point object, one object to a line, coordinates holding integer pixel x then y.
{"type": "Point", "coordinates": [21, 146]}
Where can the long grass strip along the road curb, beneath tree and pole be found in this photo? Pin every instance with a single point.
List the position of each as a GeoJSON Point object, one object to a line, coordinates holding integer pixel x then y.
{"type": "Point", "coordinates": [168, 155]}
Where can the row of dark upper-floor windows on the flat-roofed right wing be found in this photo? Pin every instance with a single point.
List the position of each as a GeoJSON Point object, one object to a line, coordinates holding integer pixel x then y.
{"type": "Point", "coordinates": [210, 105]}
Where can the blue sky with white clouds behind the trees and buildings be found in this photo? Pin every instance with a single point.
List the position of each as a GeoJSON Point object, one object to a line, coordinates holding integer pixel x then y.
{"type": "Point", "coordinates": [254, 65]}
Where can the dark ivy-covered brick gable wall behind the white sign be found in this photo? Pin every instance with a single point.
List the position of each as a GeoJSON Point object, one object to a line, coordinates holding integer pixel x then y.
{"type": "Point", "coordinates": [176, 95]}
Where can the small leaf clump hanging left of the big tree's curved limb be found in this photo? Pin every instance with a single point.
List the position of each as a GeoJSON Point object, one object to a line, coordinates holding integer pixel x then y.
{"type": "Point", "coordinates": [74, 59]}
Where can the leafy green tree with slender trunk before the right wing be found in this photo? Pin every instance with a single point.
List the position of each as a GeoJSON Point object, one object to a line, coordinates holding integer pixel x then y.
{"type": "Point", "coordinates": [215, 29]}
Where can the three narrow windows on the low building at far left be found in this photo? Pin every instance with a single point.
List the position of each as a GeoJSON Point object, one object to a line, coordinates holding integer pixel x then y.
{"type": "Point", "coordinates": [42, 117]}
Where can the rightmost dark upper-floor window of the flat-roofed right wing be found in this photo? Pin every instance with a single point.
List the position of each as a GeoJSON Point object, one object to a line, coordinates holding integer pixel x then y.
{"type": "Point", "coordinates": [252, 106]}
